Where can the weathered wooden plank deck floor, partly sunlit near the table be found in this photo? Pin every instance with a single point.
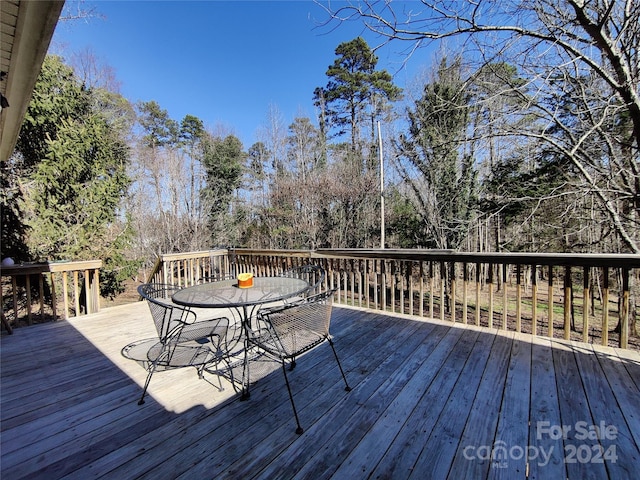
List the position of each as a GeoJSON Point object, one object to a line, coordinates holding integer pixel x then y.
{"type": "Point", "coordinates": [430, 400]}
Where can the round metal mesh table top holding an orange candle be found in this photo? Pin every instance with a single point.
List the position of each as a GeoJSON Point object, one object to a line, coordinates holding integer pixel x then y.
{"type": "Point", "coordinates": [226, 293]}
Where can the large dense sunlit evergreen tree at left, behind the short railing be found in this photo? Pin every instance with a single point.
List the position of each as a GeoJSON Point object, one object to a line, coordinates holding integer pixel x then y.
{"type": "Point", "coordinates": [73, 168]}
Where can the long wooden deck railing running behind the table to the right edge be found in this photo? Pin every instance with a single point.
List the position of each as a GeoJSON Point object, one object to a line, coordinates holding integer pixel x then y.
{"type": "Point", "coordinates": [583, 297]}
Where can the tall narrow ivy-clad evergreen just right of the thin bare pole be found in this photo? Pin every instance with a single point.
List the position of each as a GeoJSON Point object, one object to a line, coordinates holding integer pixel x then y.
{"type": "Point", "coordinates": [441, 177]}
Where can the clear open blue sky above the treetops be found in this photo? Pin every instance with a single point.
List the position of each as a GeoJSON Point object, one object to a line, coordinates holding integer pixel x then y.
{"type": "Point", "coordinates": [225, 62]}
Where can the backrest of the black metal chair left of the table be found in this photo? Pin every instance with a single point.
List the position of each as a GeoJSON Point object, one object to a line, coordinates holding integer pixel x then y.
{"type": "Point", "coordinates": [167, 316]}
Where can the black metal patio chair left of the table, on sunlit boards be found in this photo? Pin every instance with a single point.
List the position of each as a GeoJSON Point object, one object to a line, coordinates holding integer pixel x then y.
{"type": "Point", "coordinates": [182, 341]}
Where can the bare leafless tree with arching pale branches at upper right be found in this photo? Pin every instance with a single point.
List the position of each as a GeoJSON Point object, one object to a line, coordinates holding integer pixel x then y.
{"type": "Point", "coordinates": [581, 62]}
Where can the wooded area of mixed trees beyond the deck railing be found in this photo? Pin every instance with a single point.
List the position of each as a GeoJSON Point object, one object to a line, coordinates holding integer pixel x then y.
{"type": "Point", "coordinates": [524, 137]}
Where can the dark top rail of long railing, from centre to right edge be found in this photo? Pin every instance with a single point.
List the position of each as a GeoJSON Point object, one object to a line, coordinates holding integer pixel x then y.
{"type": "Point", "coordinates": [515, 258]}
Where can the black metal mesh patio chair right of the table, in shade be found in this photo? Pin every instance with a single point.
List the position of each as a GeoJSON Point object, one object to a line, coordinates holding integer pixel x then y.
{"type": "Point", "coordinates": [285, 332]}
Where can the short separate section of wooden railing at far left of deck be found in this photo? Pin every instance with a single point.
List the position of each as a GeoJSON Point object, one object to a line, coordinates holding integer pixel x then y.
{"type": "Point", "coordinates": [49, 291]}
